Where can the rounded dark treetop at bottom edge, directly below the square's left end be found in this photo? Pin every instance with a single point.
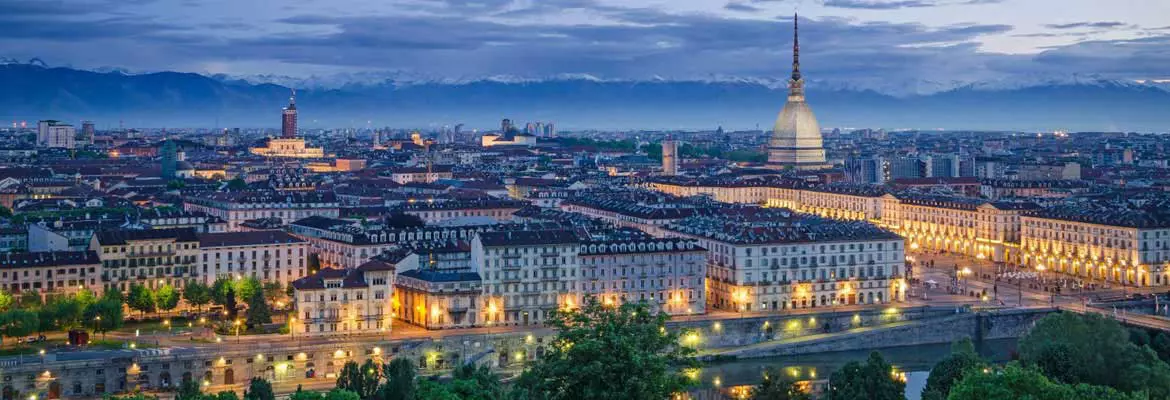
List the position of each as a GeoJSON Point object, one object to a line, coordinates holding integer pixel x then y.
{"type": "Point", "coordinates": [873, 381]}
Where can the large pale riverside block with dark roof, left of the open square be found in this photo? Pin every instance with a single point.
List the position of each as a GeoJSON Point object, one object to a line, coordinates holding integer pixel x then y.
{"type": "Point", "coordinates": [774, 259]}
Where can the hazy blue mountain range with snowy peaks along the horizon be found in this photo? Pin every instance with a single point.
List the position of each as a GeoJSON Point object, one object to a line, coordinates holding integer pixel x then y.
{"type": "Point", "coordinates": [32, 92]}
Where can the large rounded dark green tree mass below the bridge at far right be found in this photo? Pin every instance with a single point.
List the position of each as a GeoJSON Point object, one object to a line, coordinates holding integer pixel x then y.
{"type": "Point", "coordinates": [1091, 349]}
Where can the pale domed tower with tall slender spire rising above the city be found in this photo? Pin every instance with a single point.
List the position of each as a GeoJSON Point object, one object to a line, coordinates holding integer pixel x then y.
{"type": "Point", "coordinates": [796, 142]}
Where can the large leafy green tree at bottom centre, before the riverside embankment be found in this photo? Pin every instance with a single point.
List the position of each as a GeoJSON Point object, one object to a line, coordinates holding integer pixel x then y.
{"type": "Point", "coordinates": [600, 346]}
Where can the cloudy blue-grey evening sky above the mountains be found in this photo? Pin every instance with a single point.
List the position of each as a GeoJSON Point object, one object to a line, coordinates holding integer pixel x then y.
{"type": "Point", "coordinates": [866, 42]}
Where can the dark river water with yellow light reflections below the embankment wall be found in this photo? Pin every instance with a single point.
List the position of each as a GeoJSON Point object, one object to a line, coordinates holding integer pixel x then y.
{"type": "Point", "coordinates": [734, 380]}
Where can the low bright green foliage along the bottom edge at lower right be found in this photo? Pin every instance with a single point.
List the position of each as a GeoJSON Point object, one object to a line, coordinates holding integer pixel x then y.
{"type": "Point", "coordinates": [1015, 382]}
